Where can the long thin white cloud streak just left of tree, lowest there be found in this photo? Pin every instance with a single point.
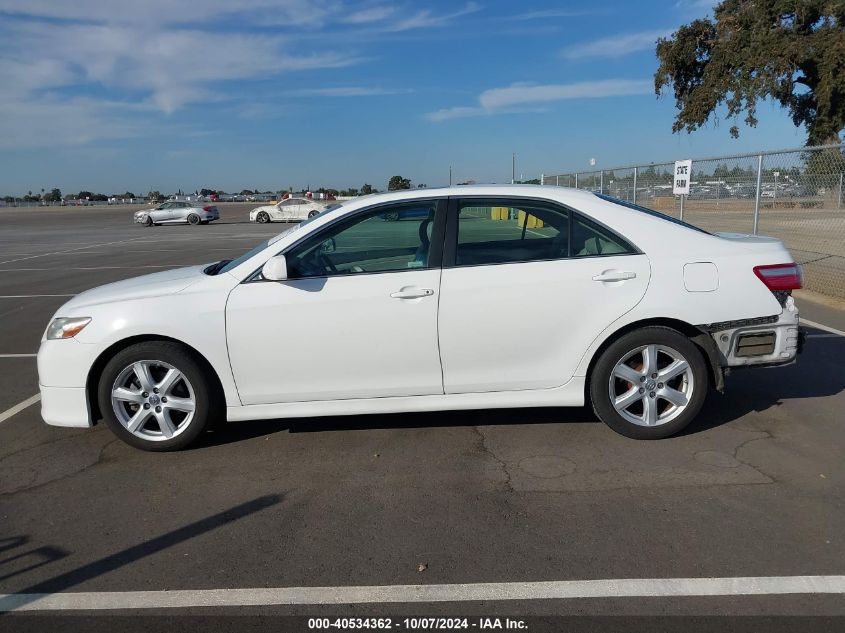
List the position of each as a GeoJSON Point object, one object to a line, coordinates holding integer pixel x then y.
{"type": "Point", "coordinates": [522, 97]}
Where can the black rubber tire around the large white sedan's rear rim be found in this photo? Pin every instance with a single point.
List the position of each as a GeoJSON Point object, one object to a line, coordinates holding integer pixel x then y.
{"type": "Point", "coordinates": [697, 380]}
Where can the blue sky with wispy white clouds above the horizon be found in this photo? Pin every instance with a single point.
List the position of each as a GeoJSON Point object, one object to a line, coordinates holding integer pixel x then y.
{"type": "Point", "coordinates": [110, 95]}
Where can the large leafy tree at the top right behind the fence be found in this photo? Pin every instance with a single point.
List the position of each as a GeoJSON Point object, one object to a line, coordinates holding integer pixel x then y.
{"type": "Point", "coordinates": [790, 51]}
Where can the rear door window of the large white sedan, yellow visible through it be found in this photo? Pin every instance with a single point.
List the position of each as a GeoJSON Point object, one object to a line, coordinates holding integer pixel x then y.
{"type": "Point", "coordinates": [503, 231]}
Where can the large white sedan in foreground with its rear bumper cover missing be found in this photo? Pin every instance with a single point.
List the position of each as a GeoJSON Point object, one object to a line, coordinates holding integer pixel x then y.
{"type": "Point", "coordinates": [484, 296]}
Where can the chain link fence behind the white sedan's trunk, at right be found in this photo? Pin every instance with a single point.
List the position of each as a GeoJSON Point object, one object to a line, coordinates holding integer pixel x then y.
{"type": "Point", "coordinates": [795, 195]}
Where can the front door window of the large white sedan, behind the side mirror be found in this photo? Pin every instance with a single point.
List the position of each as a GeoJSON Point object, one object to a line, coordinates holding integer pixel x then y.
{"type": "Point", "coordinates": [385, 239]}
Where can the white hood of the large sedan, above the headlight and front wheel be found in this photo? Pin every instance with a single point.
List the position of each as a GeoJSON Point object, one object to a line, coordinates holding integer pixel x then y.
{"type": "Point", "coordinates": [167, 282]}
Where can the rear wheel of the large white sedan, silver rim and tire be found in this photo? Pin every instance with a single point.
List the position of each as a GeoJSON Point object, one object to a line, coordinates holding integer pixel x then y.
{"type": "Point", "coordinates": [650, 383]}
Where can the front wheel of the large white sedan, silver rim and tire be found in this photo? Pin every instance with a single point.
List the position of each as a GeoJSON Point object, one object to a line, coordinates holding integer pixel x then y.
{"type": "Point", "coordinates": [156, 396]}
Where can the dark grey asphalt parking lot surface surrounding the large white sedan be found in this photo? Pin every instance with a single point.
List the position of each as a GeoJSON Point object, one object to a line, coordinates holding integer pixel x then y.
{"type": "Point", "coordinates": [753, 489]}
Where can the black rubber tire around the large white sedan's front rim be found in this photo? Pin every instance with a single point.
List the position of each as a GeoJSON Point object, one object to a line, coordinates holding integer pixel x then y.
{"type": "Point", "coordinates": [209, 403]}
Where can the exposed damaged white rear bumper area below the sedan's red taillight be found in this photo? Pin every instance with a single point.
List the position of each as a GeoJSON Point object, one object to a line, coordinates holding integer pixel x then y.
{"type": "Point", "coordinates": [761, 344]}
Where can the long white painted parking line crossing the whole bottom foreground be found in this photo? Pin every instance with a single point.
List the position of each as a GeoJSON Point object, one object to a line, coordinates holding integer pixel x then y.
{"type": "Point", "coordinates": [546, 590]}
